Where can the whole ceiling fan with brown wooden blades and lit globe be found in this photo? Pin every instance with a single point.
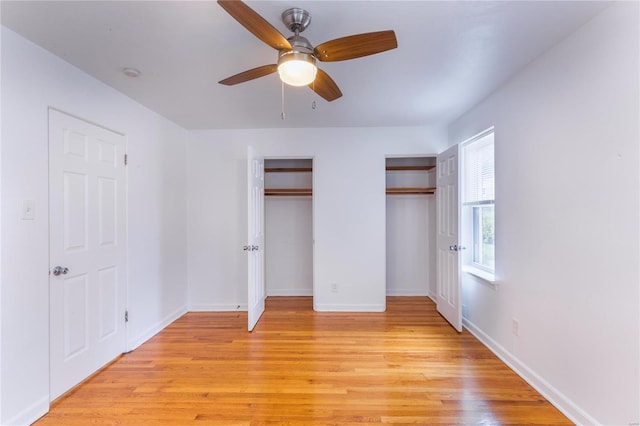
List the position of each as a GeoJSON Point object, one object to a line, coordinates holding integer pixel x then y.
{"type": "Point", "coordinates": [296, 56]}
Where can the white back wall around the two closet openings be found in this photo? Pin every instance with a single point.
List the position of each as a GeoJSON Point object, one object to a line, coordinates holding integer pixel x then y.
{"type": "Point", "coordinates": [349, 209]}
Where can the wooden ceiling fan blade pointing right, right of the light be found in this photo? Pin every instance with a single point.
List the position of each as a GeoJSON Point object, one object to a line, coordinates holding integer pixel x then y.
{"type": "Point", "coordinates": [356, 46]}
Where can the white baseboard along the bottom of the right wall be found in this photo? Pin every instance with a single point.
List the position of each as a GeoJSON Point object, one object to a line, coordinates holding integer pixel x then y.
{"type": "Point", "coordinates": [576, 414]}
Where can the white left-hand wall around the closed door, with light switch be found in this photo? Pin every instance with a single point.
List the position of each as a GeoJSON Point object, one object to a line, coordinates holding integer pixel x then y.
{"type": "Point", "coordinates": [32, 81]}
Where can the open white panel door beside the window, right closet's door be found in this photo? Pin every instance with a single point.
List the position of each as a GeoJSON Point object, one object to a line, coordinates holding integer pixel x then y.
{"type": "Point", "coordinates": [448, 263]}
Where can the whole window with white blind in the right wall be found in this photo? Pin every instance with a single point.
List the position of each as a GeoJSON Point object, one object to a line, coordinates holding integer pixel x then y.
{"type": "Point", "coordinates": [478, 202]}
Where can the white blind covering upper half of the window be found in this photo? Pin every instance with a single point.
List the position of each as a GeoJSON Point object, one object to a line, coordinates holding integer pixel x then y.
{"type": "Point", "coordinates": [479, 178]}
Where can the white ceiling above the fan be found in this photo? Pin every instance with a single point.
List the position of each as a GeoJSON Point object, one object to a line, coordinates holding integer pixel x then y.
{"type": "Point", "coordinates": [450, 55]}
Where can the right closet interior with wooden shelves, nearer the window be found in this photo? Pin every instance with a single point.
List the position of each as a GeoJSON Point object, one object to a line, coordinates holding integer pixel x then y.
{"type": "Point", "coordinates": [411, 226]}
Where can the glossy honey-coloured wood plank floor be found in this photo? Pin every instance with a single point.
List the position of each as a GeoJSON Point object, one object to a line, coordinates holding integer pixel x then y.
{"type": "Point", "coordinates": [300, 367]}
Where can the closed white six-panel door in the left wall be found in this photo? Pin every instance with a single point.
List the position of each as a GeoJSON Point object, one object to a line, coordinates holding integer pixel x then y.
{"type": "Point", "coordinates": [87, 239]}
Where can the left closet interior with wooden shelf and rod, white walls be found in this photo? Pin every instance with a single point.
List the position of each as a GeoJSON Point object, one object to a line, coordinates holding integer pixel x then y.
{"type": "Point", "coordinates": [288, 227]}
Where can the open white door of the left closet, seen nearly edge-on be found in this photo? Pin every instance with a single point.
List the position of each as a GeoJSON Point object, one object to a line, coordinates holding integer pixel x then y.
{"type": "Point", "coordinates": [257, 292]}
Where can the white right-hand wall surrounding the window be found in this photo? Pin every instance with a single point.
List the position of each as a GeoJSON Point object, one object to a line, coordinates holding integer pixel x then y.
{"type": "Point", "coordinates": [567, 193]}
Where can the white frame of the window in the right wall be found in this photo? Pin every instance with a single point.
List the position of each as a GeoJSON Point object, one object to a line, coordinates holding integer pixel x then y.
{"type": "Point", "coordinates": [468, 265]}
